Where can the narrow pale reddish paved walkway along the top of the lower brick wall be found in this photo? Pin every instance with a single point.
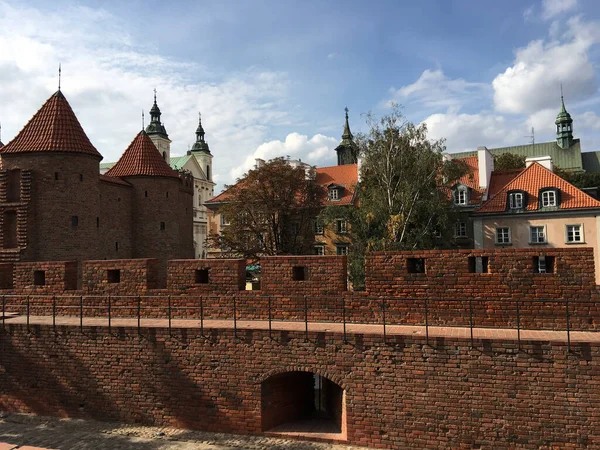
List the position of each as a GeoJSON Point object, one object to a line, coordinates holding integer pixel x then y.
{"type": "Point", "coordinates": [351, 328]}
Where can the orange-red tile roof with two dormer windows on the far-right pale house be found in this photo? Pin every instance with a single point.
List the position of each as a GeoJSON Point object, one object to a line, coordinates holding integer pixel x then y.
{"type": "Point", "coordinates": [531, 180]}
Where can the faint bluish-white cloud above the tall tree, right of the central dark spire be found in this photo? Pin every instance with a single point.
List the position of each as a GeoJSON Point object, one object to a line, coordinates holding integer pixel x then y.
{"type": "Point", "coordinates": [433, 89]}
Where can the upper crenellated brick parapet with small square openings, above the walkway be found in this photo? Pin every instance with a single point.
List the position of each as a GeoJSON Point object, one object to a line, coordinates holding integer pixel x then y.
{"type": "Point", "coordinates": [509, 295]}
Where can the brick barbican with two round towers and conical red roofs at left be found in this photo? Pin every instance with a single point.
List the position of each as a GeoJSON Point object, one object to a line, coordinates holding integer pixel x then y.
{"type": "Point", "coordinates": [56, 205]}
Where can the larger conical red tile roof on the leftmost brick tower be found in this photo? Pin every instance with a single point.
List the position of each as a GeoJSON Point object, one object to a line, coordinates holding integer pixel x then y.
{"type": "Point", "coordinates": [54, 128]}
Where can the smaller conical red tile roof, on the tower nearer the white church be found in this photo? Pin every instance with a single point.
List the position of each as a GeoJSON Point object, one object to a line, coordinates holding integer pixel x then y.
{"type": "Point", "coordinates": [141, 158]}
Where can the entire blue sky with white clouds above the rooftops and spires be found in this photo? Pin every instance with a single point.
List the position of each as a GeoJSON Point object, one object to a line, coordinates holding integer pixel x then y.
{"type": "Point", "coordinates": [272, 78]}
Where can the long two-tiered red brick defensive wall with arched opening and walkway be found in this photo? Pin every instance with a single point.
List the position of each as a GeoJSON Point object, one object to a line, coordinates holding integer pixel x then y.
{"type": "Point", "coordinates": [200, 354]}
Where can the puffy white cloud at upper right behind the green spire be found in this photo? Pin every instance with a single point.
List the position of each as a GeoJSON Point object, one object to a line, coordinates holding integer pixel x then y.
{"type": "Point", "coordinates": [533, 81]}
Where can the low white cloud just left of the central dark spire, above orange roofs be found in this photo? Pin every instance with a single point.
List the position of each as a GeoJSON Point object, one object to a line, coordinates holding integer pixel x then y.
{"type": "Point", "coordinates": [318, 150]}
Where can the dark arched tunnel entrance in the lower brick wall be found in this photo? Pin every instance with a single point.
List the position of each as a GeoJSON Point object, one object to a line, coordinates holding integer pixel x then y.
{"type": "Point", "coordinates": [303, 403]}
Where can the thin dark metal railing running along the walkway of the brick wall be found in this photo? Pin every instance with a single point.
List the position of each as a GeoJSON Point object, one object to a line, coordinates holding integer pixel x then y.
{"type": "Point", "coordinates": [555, 314]}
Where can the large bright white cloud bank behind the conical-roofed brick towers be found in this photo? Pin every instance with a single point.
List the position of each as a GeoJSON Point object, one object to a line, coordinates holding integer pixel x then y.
{"type": "Point", "coordinates": [108, 77]}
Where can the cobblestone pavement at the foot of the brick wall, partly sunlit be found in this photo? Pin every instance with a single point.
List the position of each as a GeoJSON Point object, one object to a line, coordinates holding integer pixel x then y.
{"type": "Point", "coordinates": [75, 434]}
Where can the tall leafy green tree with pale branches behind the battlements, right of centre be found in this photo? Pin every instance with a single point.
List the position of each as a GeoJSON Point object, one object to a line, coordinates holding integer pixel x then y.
{"type": "Point", "coordinates": [404, 192]}
